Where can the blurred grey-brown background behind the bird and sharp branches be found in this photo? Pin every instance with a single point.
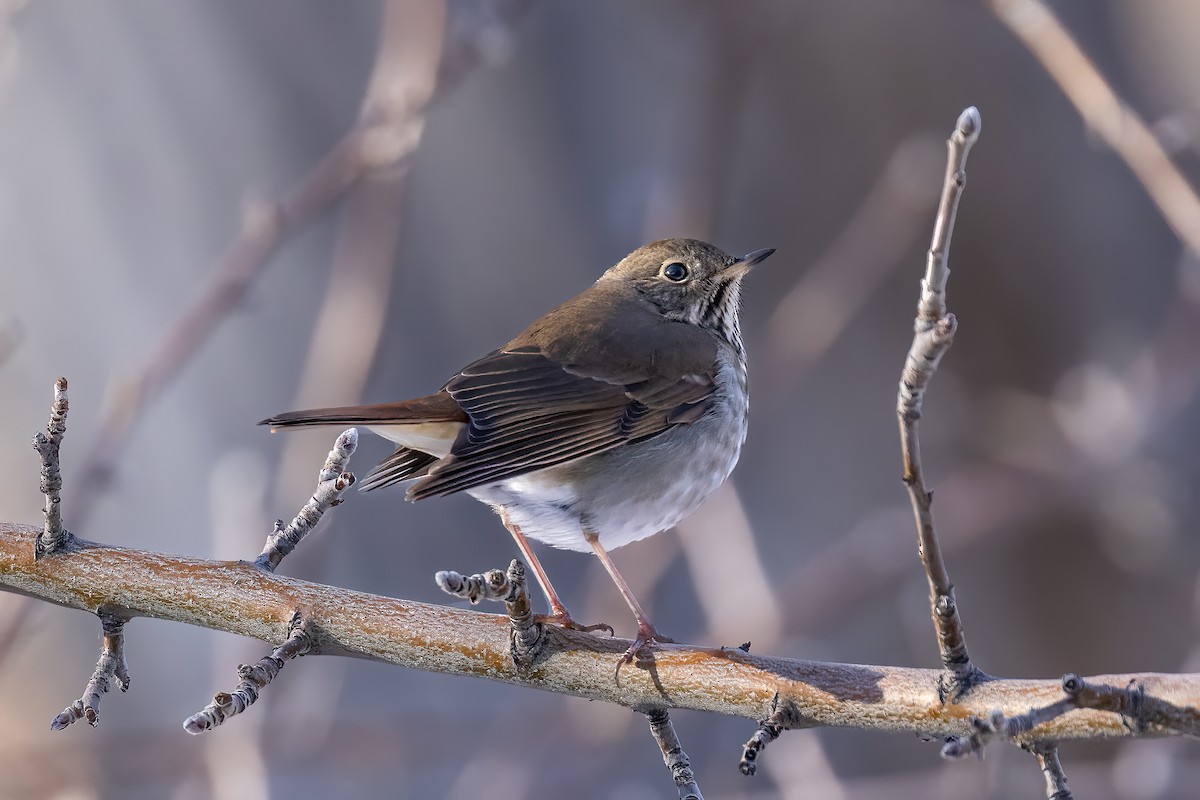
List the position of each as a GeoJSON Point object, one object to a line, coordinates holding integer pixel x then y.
{"type": "Point", "coordinates": [141, 139]}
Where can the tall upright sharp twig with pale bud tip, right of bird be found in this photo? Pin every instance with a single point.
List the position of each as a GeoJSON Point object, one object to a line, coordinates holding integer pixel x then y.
{"type": "Point", "coordinates": [934, 334]}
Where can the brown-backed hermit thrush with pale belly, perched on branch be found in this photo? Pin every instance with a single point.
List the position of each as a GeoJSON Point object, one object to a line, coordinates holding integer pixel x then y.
{"type": "Point", "coordinates": [608, 420]}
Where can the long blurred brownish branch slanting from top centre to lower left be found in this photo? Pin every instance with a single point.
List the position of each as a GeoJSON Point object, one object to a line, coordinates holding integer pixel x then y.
{"type": "Point", "coordinates": [385, 137]}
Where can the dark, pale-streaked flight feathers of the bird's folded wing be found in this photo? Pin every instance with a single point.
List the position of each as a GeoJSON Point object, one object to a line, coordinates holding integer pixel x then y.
{"type": "Point", "coordinates": [529, 412]}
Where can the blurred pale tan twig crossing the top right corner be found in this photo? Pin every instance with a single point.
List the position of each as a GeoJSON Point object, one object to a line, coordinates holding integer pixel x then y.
{"type": "Point", "coordinates": [1120, 128]}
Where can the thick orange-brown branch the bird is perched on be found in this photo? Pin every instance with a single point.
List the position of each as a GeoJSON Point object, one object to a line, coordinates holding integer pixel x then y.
{"type": "Point", "coordinates": [238, 598]}
